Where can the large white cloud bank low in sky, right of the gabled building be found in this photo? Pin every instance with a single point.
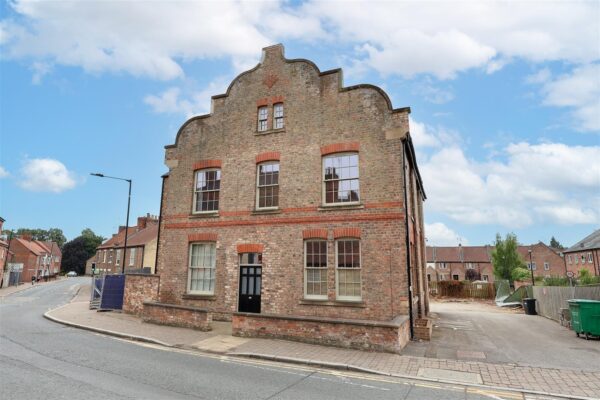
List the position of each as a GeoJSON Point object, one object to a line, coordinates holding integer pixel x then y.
{"type": "Point", "coordinates": [536, 183]}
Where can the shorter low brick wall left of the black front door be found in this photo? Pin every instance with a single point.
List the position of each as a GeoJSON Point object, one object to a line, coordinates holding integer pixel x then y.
{"type": "Point", "coordinates": [176, 315]}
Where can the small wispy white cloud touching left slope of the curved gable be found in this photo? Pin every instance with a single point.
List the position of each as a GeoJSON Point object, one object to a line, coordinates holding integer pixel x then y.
{"type": "Point", "coordinates": [173, 101]}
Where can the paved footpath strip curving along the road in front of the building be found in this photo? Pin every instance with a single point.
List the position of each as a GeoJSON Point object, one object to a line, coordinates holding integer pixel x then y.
{"type": "Point", "coordinates": [571, 382]}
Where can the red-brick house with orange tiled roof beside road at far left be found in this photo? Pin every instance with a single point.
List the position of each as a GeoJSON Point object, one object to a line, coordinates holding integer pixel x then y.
{"type": "Point", "coordinates": [39, 258]}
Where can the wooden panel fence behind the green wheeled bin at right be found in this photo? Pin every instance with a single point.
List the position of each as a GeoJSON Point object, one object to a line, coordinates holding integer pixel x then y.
{"type": "Point", "coordinates": [550, 299]}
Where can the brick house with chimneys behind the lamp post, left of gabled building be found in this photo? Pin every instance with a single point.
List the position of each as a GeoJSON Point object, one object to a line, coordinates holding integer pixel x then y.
{"type": "Point", "coordinates": [141, 248]}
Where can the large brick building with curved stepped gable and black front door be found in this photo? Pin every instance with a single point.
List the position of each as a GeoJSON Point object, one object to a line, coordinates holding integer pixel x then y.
{"type": "Point", "coordinates": [295, 209]}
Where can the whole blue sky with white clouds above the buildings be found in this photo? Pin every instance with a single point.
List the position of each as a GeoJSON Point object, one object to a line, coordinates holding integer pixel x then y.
{"type": "Point", "coordinates": [505, 100]}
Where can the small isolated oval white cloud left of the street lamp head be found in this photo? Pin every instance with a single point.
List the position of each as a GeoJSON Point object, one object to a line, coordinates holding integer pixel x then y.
{"type": "Point", "coordinates": [46, 175]}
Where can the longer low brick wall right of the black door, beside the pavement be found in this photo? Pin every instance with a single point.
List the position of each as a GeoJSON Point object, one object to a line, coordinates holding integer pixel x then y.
{"type": "Point", "coordinates": [390, 336]}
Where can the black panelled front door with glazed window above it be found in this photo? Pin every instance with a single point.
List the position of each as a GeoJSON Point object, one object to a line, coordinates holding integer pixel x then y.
{"type": "Point", "coordinates": [250, 282]}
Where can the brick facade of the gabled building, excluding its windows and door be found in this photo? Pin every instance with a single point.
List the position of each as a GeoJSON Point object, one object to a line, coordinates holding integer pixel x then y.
{"type": "Point", "coordinates": [320, 115]}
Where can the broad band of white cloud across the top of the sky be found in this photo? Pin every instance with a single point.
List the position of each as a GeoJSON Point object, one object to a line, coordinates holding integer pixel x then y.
{"type": "Point", "coordinates": [401, 38]}
